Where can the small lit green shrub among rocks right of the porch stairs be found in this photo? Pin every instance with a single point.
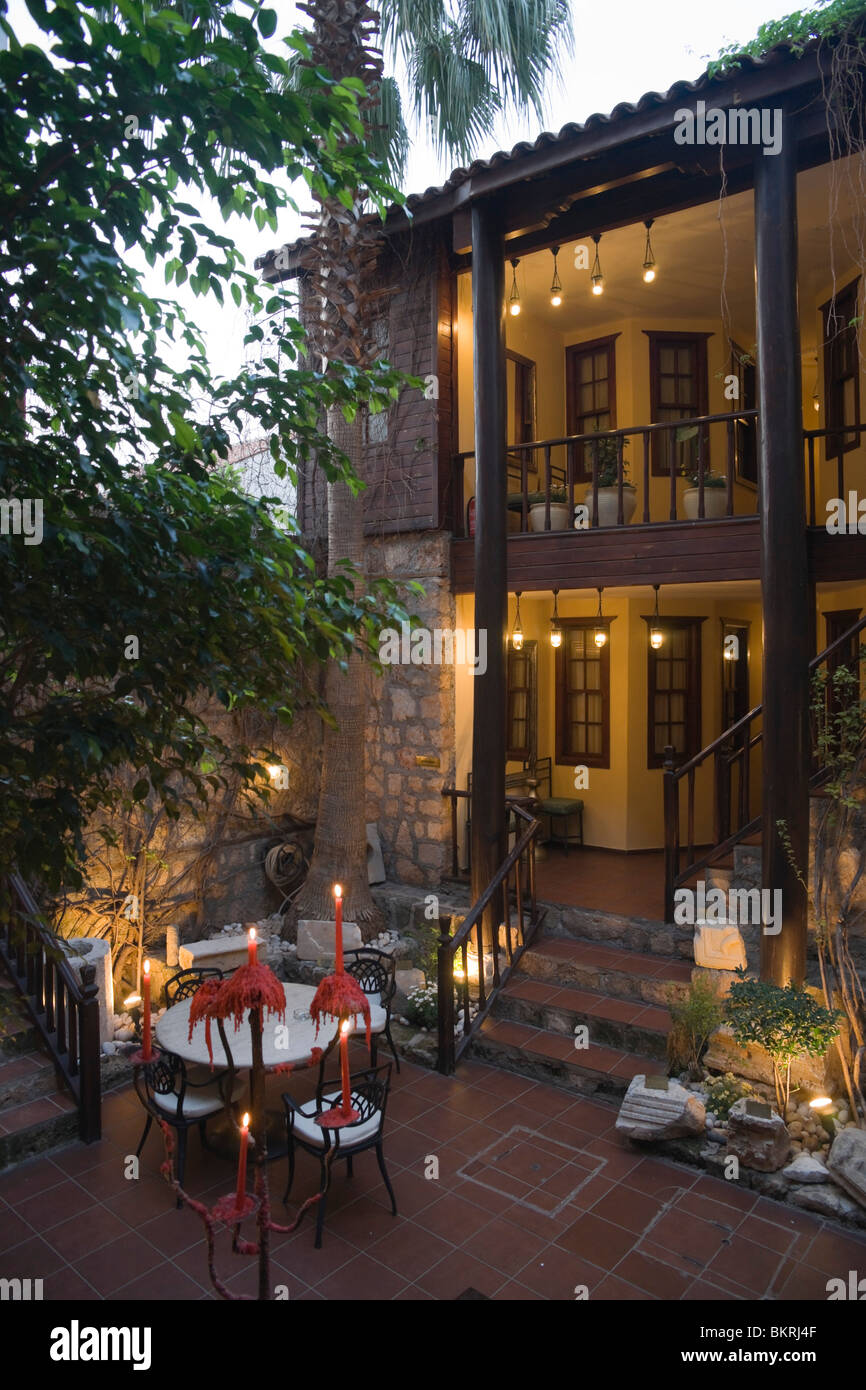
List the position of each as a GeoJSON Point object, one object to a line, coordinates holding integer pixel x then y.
{"type": "Point", "coordinates": [786, 1022]}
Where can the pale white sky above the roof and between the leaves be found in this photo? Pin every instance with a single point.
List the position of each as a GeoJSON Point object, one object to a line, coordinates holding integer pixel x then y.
{"type": "Point", "coordinates": [623, 49]}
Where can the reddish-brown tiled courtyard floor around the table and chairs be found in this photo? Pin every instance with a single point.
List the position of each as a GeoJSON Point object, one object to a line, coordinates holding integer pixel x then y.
{"type": "Point", "coordinates": [536, 1197]}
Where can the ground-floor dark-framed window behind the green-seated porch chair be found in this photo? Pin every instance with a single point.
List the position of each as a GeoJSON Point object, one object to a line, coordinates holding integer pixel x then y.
{"type": "Point", "coordinates": [583, 696]}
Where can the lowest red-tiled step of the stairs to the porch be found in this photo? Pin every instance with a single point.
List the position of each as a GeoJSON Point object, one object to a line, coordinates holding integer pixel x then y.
{"type": "Point", "coordinates": [550, 1057]}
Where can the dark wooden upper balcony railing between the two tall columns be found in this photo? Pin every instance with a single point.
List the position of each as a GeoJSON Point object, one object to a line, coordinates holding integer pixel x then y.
{"type": "Point", "coordinates": [551, 472]}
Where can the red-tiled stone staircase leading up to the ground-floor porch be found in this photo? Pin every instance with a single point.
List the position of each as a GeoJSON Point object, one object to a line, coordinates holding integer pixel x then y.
{"type": "Point", "coordinates": [575, 976]}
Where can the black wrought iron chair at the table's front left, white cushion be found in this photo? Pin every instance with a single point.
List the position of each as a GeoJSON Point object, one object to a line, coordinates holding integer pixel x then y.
{"type": "Point", "coordinates": [166, 1090]}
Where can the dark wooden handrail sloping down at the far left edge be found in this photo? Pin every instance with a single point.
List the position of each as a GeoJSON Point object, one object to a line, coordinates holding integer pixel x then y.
{"type": "Point", "coordinates": [62, 1001]}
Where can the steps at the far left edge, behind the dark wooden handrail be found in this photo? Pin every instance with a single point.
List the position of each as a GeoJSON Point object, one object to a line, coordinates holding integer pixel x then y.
{"type": "Point", "coordinates": [37, 1111]}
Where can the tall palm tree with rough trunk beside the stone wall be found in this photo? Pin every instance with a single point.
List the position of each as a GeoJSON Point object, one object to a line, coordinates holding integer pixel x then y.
{"type": "Point", "coordinates": [466, 65]}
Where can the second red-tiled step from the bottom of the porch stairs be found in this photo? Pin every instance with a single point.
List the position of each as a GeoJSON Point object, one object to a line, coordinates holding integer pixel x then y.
{"type": "Point", "coordinates": [628, 1025]}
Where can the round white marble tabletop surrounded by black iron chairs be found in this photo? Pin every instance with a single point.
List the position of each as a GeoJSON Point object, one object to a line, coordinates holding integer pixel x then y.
{"type": "Point", "coordinates": [288, 1040]}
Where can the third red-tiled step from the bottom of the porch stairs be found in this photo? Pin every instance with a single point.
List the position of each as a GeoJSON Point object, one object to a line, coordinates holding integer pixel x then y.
{"type": "Point", "coordinates": [622, 975]}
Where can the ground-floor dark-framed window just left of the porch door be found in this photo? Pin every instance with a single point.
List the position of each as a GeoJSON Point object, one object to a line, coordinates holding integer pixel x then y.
{"type": "Point", "coordinates": [675, 692]}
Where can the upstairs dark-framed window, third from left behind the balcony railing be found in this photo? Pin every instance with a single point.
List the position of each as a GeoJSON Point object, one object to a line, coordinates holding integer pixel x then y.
{"type": "Point", "coordinates": [679, 391]}
